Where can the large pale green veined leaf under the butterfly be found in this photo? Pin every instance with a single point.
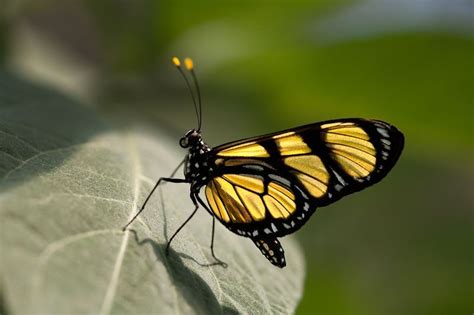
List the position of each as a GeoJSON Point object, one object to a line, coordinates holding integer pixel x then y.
{"type": "Point", "coordinates": [68, 184]}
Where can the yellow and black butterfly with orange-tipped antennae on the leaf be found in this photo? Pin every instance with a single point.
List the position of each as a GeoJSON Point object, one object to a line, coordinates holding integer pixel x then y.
{"type": "Point", "coordinates": [268, 186]}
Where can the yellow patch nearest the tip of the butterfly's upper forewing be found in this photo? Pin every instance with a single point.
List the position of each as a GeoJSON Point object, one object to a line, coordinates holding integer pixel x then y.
{"type": "Point", "coordinates": [351, 147]}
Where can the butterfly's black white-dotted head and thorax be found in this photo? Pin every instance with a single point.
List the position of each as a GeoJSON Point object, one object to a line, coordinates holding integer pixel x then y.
{"type": "Point", "coordinates": [197, 166]}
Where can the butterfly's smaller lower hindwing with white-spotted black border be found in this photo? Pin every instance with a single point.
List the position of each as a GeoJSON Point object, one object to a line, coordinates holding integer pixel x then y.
{"type": "Point", "coordinates": [256, 200]}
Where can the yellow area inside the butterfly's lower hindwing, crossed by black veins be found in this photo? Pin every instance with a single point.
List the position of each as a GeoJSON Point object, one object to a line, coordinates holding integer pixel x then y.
{"type": "Point", "coordinates": [242, 199]}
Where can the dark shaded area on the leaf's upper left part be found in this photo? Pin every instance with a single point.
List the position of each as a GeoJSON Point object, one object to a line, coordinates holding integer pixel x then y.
{"type": "Point", "coordinates": [39, 128]}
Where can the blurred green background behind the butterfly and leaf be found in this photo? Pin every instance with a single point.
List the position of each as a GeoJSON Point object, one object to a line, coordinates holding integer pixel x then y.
{"type": "Point", "coordinates": [404, 246]}
